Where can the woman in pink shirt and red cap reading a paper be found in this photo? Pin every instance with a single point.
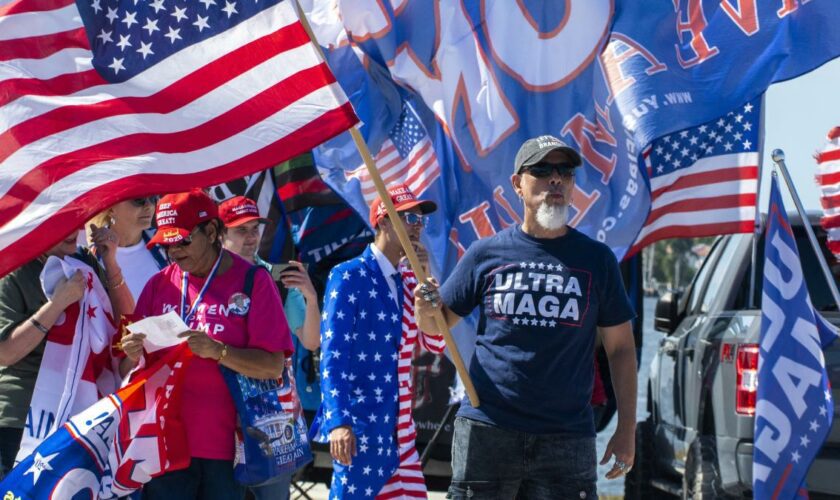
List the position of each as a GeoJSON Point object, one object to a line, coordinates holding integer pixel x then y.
{"type": "Point", "coordinates": [246, 334]}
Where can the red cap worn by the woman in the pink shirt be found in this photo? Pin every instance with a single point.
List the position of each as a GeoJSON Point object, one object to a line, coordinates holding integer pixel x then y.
{"type": "Point", "coordinates": [178, 214]}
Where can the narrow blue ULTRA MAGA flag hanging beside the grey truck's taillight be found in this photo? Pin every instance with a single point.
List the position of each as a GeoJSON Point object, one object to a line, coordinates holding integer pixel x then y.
{"type": "Point", "coordinates": [794, 410]}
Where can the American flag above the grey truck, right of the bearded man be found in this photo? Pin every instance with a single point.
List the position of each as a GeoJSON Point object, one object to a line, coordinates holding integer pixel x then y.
{"type": "Point", "coordinates": [703, 181]}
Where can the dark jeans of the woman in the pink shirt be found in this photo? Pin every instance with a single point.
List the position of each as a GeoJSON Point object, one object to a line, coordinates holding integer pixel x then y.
{"type": "Point", "coordinates": [204, 479]}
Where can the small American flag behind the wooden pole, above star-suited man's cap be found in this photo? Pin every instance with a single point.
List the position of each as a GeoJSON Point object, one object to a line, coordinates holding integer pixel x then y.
{"type": "Point", "coordinates": [406, 157]}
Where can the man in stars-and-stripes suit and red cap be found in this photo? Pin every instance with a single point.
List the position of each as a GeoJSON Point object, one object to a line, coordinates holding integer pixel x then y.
{"type": "Point", "coordinates": [368, 333]}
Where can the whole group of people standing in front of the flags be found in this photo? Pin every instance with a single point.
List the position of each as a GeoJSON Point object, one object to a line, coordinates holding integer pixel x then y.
{"type": "Point", "coordinates": [545, 294]}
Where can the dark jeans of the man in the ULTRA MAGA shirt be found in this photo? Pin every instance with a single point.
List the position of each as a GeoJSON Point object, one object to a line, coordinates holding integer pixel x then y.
{"type": "Point", "coordinates": [489, 462]}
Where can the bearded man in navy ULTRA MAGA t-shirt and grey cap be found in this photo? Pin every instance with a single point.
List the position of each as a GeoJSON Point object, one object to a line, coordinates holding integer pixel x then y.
{"type": "Point", "coordinates": [544, 291]}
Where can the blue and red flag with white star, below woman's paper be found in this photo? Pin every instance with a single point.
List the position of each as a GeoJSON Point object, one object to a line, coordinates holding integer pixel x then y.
{"type": "Point", "coordinates": [112, 448]}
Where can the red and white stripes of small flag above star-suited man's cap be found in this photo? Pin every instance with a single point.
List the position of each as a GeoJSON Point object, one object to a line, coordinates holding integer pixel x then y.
{"type": "Point", "coordinates": [418, 171]}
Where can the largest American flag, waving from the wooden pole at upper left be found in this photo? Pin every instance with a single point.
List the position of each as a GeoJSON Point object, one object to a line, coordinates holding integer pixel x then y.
{"type": "Point", "coordinates": [104, 100]}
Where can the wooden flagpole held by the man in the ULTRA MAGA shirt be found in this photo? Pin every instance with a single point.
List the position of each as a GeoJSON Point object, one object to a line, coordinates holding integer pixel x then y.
{"type": "Point", "coordinates": [402, 235]}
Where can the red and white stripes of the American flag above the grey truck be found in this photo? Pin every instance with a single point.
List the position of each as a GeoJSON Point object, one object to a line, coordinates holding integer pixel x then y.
{"type": "Point", "coordinates": [717, 195]}
